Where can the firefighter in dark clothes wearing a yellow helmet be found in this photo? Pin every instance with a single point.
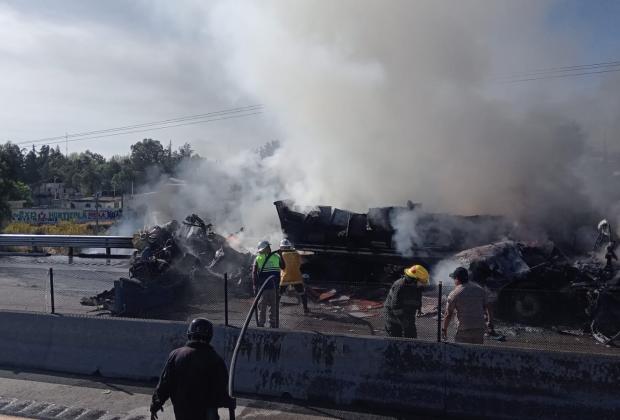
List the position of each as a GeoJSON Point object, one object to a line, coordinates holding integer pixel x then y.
{"type": "Point", "coordinates": [403, 302]}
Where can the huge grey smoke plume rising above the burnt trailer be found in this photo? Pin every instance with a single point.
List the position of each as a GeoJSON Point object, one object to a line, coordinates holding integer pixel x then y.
{"type": "Point", "coordinates": [382, 102]}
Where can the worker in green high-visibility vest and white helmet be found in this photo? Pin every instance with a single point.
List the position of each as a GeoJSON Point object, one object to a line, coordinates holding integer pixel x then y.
{"type": "Point", "coordinates": [266, 264]}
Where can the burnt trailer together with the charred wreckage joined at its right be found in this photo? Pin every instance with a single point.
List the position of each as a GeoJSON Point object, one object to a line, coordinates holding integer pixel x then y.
{"type": "Point", "coordinates": [532, 283]}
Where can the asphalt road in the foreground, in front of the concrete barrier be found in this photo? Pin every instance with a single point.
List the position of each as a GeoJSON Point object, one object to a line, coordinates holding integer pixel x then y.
{"type": "Point", "coordinates": [45, 395]}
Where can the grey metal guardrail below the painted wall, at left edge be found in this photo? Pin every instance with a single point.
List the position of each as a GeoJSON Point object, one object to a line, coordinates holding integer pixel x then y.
{"type": "Point", "coordinates": [69, 241]}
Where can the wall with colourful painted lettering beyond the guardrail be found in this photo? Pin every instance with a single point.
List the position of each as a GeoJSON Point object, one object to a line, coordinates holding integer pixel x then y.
{"type": "Point", "coordinates": [39, 216]}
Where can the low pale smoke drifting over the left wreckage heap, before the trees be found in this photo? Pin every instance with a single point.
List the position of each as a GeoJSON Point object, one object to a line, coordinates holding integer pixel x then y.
{"type": "Point", "coordinates": [235, 195]}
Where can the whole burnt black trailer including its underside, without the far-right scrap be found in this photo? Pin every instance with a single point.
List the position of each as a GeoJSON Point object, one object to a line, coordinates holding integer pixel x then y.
{"type": "Point", "coordinates": [345, 246]}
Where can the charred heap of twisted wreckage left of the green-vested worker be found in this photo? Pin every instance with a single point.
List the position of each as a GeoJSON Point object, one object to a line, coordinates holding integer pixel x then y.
{"type": "Point", "coordinates": [173, 264]}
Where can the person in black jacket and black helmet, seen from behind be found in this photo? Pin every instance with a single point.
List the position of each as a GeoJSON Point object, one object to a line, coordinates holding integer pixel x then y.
{"type": "Point", "coordinates": [195, 378]}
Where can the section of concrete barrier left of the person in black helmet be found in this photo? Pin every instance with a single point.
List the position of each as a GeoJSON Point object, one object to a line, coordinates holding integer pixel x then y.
{"type": "Point", "coordinates": [86, 345]}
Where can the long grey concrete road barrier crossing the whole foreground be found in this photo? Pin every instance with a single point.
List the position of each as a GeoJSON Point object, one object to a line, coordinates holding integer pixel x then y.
{"type": "Point", "coordinates": [376, 373]}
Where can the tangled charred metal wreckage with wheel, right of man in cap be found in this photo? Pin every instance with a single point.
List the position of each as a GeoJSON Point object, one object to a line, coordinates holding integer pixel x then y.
{"type": "Point", "coordinates": [537, 284]}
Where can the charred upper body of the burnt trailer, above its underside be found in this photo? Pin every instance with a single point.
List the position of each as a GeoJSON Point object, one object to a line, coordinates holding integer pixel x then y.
{"type": "Point", "coordinates": [395, 234]}
